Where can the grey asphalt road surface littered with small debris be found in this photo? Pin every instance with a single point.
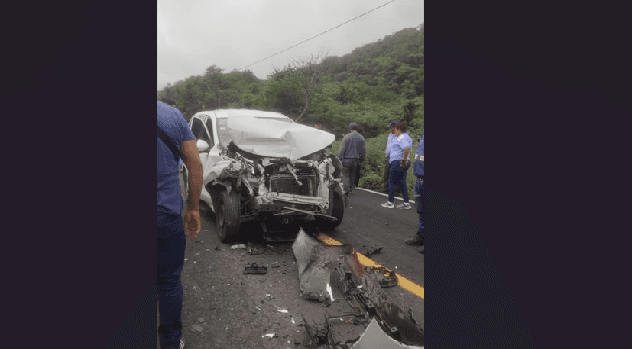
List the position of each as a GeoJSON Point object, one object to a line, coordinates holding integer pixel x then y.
{"type": "Point", "coordinates": [224, 308]}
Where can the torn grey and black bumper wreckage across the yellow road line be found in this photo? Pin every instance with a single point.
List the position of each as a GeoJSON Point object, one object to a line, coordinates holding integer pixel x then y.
{"type": "Point", "coordinates": [333, 273]}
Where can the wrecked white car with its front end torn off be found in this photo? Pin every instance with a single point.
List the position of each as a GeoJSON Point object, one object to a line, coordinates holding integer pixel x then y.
{"type": "Point", "coordinates": [263, 166]}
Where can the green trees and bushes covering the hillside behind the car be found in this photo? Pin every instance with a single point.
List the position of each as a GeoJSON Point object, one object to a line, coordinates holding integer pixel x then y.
{"type": "Point", "coordinates": [372, 85]}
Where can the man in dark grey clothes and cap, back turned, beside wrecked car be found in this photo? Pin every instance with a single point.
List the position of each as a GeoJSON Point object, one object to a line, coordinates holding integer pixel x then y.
{"type": "Point", "coordinates": [351, 153]}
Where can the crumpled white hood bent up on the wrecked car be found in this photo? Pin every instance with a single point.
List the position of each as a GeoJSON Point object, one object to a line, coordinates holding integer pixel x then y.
{"type": "Point", "coordinates": [270, 134]}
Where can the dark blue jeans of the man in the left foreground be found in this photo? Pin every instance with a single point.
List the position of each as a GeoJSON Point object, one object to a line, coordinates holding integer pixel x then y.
{"type": "Point", "coordinates": [171, 244]}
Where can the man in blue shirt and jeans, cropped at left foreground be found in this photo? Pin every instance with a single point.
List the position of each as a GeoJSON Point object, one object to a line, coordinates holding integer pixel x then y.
{"type": "Point", "coordinates": [174, 134]}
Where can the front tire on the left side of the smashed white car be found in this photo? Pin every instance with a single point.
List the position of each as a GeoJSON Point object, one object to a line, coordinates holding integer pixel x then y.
{"type": "Point", "coordinates": [228, 215]}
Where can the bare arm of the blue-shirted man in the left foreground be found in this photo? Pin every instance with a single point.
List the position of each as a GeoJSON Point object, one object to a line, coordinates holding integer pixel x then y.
{"type": "Point", "coordinates": [192, 221]}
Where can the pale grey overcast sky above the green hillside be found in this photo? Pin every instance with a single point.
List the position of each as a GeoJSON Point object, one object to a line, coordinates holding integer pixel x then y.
{"type": "Point", "coordinates": [195, 34]}
